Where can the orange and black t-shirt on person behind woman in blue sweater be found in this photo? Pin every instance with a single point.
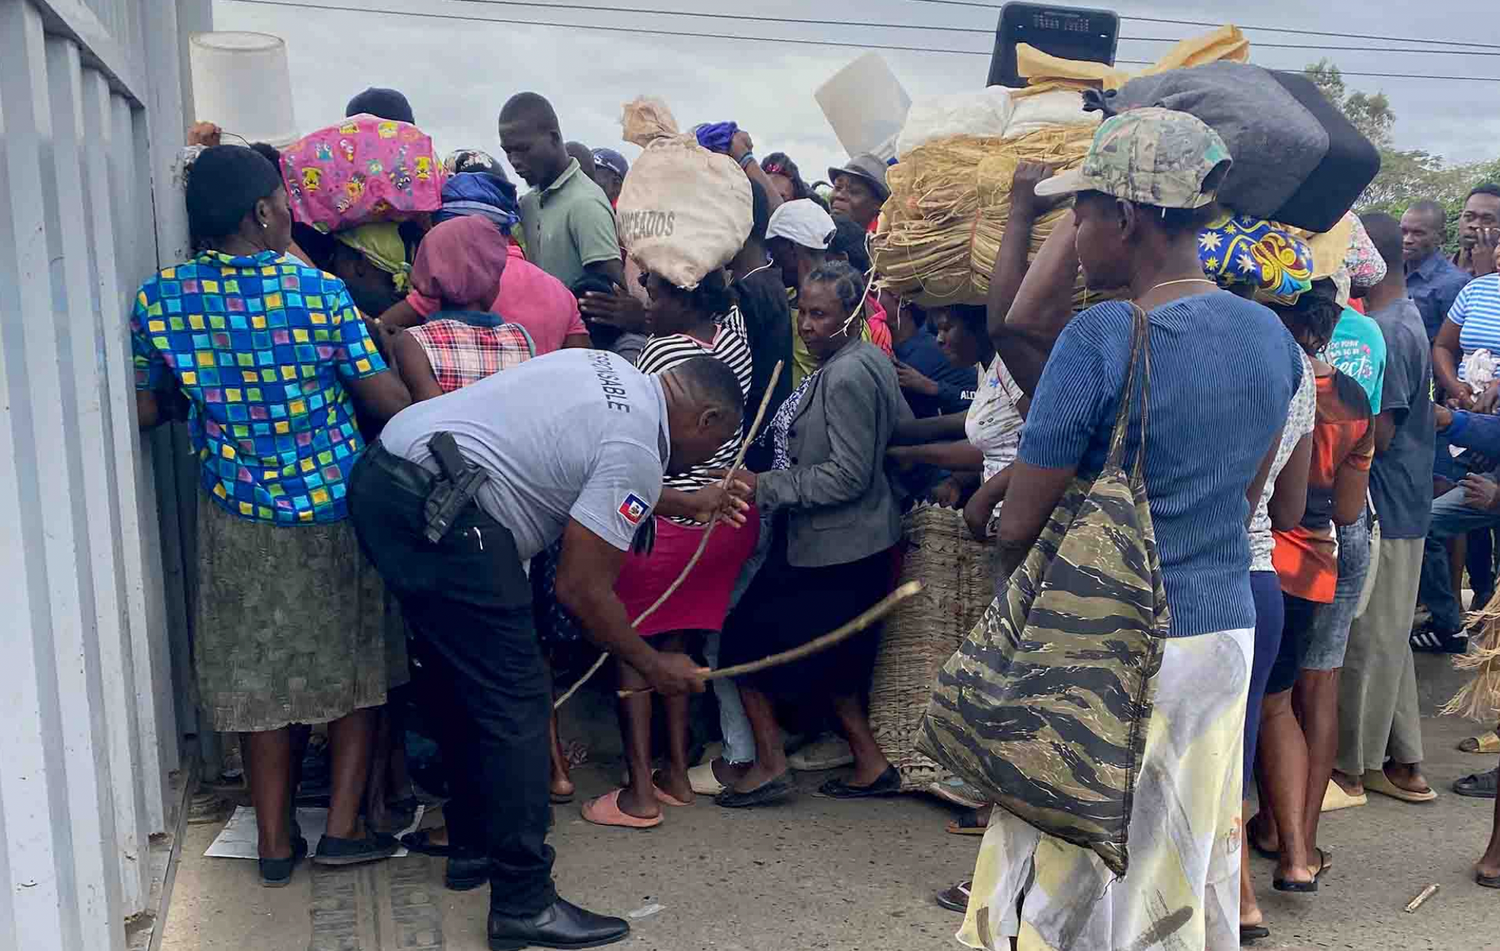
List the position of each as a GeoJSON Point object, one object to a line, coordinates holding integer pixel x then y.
{"type": "Point", "coordinates": [1343, 439]}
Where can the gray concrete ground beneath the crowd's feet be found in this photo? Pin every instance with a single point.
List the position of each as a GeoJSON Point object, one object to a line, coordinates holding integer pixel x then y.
{"type": "Point", "coordinates": [845, 877]}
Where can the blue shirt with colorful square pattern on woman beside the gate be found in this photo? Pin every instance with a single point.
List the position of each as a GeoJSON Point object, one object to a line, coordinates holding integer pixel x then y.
{"type": "Point", "coordinates": [263, 347]}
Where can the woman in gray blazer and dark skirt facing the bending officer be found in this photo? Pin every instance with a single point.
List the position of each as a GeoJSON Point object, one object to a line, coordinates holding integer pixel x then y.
{"type": "Point", "coordinates": [838, 520]}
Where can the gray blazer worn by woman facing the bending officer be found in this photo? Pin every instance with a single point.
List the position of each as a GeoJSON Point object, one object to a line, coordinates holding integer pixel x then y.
{"type": "Point", "coordinates": [842, 508]}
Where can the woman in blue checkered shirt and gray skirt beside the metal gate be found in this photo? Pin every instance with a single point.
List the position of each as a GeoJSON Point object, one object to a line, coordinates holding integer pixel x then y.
{"type": "Point", "coordinates": [263, 358]}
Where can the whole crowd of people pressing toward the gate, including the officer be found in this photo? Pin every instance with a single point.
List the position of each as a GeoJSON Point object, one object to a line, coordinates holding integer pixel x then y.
{"type": "Point", "coordinates": [445, 451]}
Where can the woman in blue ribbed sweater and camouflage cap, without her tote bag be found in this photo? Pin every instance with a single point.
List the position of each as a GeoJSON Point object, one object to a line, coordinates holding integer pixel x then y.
{"type": "Point", "coordinates": [1144, 193]}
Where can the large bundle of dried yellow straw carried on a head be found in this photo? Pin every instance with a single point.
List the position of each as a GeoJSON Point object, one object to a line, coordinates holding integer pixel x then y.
{"type": "Point", "coordinates": [949, 208]}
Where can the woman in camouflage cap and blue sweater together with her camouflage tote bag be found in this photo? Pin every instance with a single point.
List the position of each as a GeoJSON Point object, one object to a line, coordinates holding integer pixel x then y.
{"type": "Point", "coordinates": [1157, 809]}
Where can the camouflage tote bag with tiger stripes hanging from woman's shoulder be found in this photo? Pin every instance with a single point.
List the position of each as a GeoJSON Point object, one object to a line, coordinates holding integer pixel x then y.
{"type": "Point", "coordinates": [1046, 704]}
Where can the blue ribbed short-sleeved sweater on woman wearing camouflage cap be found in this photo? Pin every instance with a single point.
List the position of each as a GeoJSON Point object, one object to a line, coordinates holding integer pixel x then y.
{"type": "Point", "coordinates": [1223, 373]}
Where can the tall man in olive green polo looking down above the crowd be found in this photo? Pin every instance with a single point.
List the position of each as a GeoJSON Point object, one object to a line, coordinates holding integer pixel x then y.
{"type": "Point", "coordinates": [568, 221]}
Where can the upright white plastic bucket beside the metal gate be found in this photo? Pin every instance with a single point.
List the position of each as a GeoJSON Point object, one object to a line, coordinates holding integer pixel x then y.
{"type": "Point", "coordinates": [242, 83]}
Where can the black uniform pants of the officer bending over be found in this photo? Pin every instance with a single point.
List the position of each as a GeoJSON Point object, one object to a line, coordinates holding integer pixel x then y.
{"type": "Point", "coordinates": [482, 676]}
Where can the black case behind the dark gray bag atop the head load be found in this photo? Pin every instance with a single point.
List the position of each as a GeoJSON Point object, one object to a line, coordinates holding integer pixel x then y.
{"type": "Point", "coordinates": [1342, 178]}
